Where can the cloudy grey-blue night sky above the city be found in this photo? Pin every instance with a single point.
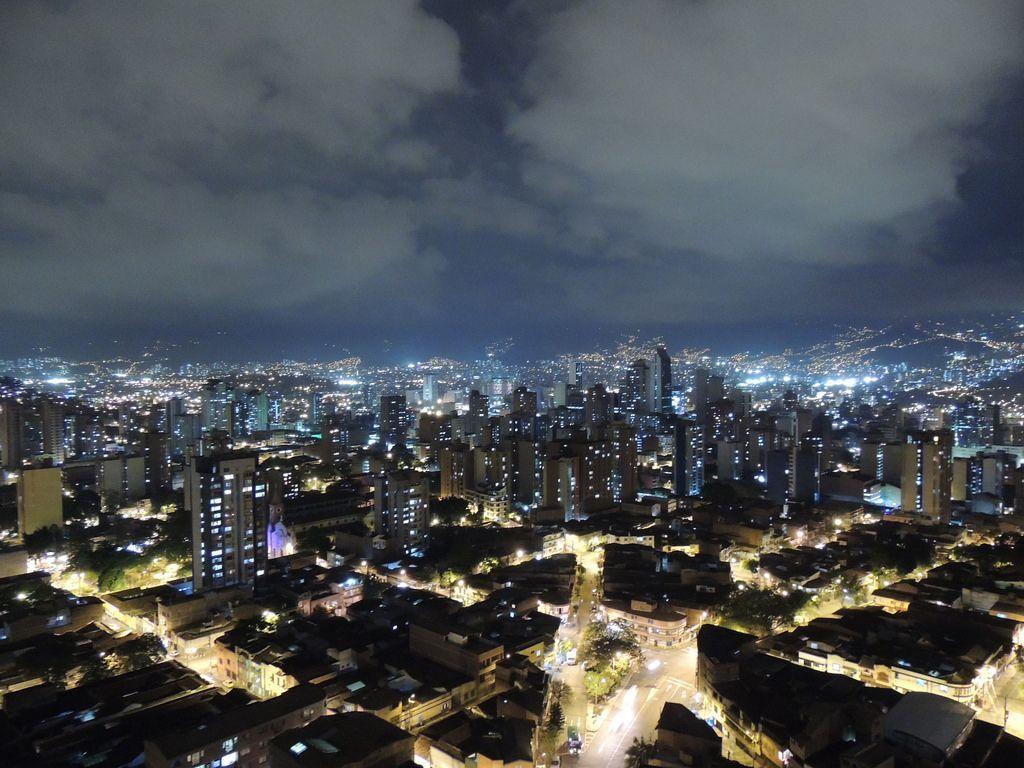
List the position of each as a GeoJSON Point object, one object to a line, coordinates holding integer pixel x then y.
{"type": "Point", "coordinates": [266, 179]}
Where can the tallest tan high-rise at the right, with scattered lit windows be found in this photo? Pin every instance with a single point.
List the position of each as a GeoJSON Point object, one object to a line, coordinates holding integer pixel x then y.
{"type": "Point", "coordinates": [926, 484]}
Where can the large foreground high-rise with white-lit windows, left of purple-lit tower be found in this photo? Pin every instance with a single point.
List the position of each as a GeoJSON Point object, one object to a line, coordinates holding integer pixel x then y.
{"type": "Point", "coordinates": [224, 496]}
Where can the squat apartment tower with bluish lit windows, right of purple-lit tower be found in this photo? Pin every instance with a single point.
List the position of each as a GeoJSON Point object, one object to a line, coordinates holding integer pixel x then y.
{"type": "Point", "coordinates": [401, 501]}
